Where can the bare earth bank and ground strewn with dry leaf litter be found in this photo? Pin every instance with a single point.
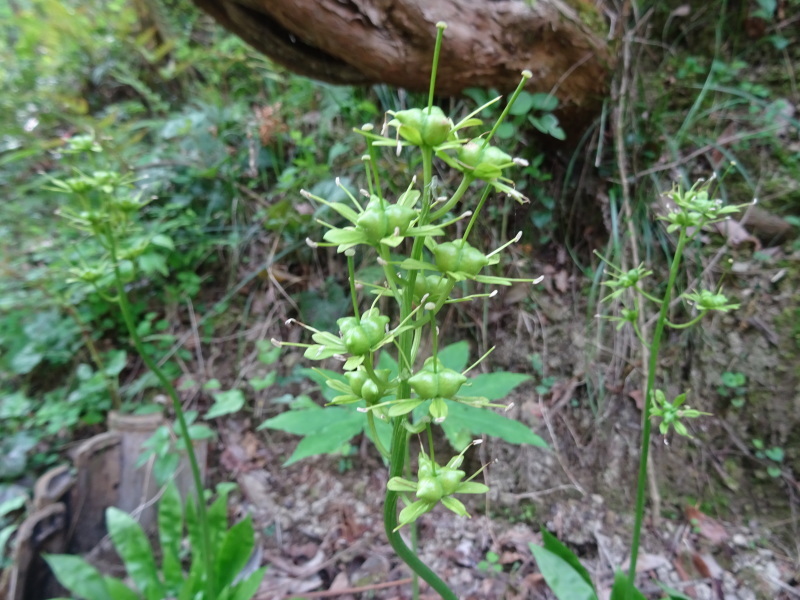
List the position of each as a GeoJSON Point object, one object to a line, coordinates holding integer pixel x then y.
{"type": "Point", "coordinates": [722, 526]}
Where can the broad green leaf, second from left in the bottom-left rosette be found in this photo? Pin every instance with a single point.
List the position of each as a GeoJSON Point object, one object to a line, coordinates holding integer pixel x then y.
{"type": "Point", "coordinates": [132, 546]}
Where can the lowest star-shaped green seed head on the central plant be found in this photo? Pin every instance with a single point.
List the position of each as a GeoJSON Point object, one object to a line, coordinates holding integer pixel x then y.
{"type": "Point", "coordinates": [436, 484]}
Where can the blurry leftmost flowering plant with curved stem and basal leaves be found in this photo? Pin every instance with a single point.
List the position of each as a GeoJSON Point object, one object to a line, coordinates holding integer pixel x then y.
{"type": "Point", "coordinates": [105, 206]}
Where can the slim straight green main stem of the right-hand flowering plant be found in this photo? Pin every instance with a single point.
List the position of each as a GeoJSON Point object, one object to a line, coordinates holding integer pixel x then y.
{"type": "Point", "coordinates": [641, 488]}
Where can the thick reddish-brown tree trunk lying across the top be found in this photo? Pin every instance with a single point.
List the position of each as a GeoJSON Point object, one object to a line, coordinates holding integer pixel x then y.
{"type": "Point", "coordinates": [487, 43]}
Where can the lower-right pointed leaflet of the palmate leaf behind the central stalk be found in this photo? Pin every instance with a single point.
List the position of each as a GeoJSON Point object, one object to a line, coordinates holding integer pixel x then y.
{"type": "Point", "coordinates": [480, 421]}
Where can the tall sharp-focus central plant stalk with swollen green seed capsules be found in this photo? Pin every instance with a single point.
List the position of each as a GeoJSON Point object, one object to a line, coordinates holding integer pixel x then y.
{"type": "Point", "coordinates": [411, 237]}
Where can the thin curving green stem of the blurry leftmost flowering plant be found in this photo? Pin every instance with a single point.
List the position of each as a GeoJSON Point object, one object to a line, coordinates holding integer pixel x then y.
{"type": "Point", "coordinates": [127, 316]}
